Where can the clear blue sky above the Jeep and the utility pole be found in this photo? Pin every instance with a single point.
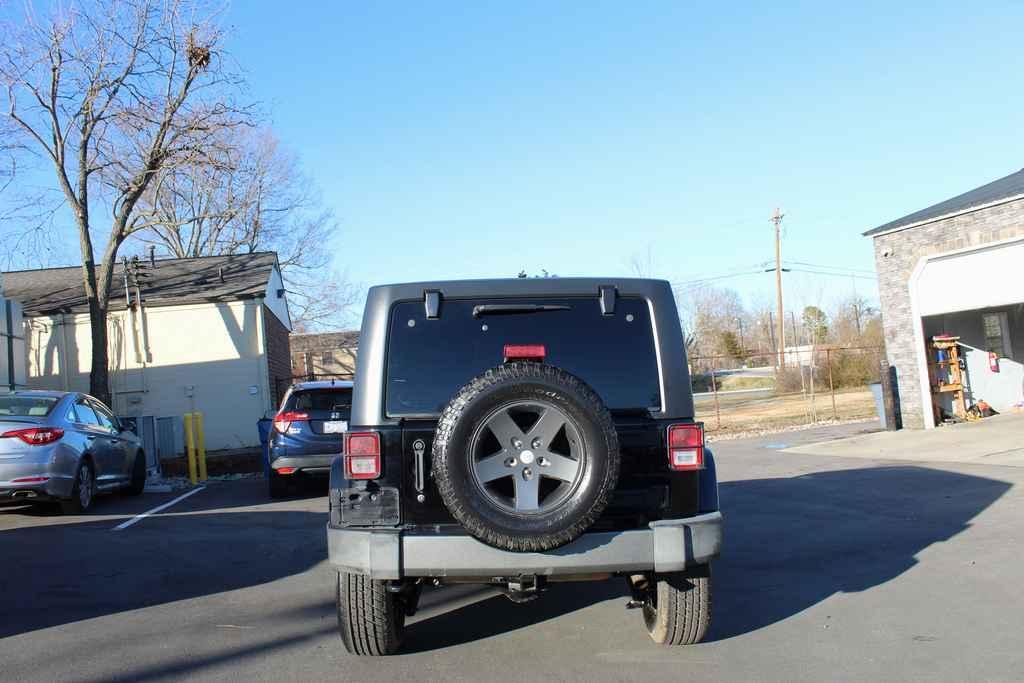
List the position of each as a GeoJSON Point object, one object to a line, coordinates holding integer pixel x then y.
{"type": "Point", "coordinates": [472, 140]}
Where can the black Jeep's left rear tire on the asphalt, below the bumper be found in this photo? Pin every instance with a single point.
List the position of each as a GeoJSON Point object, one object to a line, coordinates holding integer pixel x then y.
{"type": "Point", "coordinates": [371, 619]}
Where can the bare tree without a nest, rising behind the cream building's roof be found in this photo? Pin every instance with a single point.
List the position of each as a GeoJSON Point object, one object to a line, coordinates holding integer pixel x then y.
{"type": "Point", "coordinates": [250, 195]}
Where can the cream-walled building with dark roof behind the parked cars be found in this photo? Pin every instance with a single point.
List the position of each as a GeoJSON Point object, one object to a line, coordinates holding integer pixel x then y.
{"type": "Point", "coordinates": [205, 334]}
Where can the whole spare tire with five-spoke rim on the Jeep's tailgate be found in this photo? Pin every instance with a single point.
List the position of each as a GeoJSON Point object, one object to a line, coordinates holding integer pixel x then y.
{"type": "Point", "coordinates": [526, 457]}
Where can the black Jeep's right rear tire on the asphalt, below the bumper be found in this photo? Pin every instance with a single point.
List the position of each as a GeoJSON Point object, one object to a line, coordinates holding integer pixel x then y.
{"type": "Point", "coordinates": [677, 610]}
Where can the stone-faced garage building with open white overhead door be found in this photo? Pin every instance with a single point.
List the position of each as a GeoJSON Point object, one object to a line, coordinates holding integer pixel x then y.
{"type": "Point", "coordinates": [957, 268]}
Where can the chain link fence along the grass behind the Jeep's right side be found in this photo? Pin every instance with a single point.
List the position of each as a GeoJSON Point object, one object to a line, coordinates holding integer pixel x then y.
{"type": "Point", "coordinates": [803, 387]}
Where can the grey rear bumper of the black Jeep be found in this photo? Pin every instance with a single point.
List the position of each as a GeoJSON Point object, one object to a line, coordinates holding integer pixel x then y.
{"type": "Point", "coordinates": [666, 546]}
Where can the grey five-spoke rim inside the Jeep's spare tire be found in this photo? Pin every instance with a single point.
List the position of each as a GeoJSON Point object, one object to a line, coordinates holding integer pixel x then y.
{"type": "Point", "coordinates": [539, 461]}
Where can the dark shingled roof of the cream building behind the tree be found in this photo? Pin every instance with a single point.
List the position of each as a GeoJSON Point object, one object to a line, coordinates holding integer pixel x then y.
{"type": "Point", "coordinates": [168, 283]}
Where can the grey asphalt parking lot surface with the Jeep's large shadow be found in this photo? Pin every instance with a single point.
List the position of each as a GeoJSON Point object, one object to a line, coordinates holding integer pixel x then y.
{"type": "Point", "coordinates": [834, 569]}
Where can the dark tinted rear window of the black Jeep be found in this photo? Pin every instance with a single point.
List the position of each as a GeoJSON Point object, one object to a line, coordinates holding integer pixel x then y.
{"type": "Point", "coordinates": [431, 360]}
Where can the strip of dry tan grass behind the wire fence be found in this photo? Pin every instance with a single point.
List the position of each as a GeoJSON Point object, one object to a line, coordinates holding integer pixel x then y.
{"type": "Point", "coordinates": [739, 414]}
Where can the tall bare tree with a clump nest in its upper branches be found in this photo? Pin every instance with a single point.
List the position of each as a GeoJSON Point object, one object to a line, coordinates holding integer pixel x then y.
{"type": "Point", "coordinates": [111, 94]}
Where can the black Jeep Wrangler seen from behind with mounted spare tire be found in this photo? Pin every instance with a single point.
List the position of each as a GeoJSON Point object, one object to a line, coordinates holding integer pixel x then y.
{"type": "Point", "coordinates": [517, 433]}
